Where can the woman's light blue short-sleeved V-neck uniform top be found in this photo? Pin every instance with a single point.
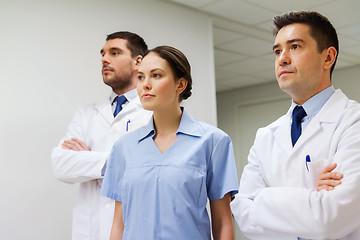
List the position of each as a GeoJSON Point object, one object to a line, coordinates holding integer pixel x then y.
{"type": "Point", "coordinates": [164, 195]}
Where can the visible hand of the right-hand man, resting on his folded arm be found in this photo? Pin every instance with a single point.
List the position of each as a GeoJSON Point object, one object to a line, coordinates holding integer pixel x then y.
{"type": "Point", "coordinates": [328, 180]}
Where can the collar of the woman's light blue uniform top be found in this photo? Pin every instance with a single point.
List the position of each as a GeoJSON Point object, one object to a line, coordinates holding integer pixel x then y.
{"type": "Point", "coordinates": [188, 126]}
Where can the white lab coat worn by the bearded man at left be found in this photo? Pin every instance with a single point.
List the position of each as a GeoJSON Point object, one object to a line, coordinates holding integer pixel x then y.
{"type": "Point", "coordinates": [96, 126]}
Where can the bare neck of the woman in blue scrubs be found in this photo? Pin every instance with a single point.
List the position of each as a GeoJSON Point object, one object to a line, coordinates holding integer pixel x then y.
{"type": "Point", "coordinates": [167, 122]}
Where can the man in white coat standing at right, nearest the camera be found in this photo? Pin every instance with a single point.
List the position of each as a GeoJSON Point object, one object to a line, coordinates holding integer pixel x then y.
{"type": "Point", "coordinates": [278, 198]}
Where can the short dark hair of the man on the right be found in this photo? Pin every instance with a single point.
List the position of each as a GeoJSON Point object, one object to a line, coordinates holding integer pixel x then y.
{"type": "Point", "coordinates": [321, 29]}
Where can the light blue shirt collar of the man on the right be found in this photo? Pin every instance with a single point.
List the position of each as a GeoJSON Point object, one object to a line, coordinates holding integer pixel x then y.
{"type": "Point", "coordinates": [315, 103]}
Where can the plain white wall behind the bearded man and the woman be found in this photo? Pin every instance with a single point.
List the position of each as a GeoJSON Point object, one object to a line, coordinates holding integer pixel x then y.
{"type": "Point", "coordinates": [49, 66]}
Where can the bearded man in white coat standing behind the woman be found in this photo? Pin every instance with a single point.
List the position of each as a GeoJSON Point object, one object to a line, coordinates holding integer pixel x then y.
{"type": "Point", "coordinates": [81, 155]}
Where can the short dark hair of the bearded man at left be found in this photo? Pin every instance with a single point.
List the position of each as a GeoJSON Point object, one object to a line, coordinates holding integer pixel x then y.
{"type": "Point", "coordinates": [136, 44]}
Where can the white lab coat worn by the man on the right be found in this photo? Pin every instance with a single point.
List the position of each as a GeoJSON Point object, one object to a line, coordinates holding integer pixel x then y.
{"type": "Point", "coordinates": [277, 199]}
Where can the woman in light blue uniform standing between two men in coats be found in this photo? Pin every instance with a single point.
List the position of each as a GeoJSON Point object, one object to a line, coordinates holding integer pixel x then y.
{"type": "Point", "coordinates": [162, 174]}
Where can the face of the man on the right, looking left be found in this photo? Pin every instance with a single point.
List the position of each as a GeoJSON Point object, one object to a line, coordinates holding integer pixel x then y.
{"type": "Point", "coordinates": [298, 63]}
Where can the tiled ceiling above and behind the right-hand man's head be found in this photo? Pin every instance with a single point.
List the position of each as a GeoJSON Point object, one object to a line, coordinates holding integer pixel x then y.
{"type": "Point", "coordinates": [243, 40]}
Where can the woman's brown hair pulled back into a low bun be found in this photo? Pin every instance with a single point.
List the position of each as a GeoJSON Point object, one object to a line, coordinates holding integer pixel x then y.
{"type": "Point", "coordinates": [178, 64]}
